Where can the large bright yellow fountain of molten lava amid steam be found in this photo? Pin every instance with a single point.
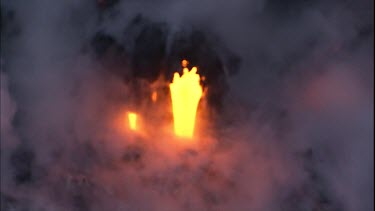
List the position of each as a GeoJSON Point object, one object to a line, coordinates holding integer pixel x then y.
{"type": "Point", "coordinates": [186, 92]}
